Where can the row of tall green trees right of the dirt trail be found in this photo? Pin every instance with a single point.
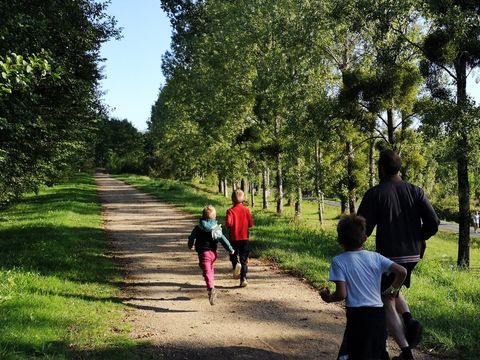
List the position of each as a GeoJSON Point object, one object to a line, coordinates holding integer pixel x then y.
{"type": "Point", "coordinates": [307, 93]}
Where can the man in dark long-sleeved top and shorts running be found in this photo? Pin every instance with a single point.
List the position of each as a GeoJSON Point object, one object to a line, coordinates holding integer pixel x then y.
{"type": "Point", "coordinates": [405, 219]}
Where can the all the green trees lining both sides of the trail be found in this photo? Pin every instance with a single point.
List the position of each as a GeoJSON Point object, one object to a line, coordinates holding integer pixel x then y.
{"type": "Point", "coordinates": [300, 96]}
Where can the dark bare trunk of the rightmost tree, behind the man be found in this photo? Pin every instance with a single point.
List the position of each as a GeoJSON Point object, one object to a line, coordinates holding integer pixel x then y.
{"type": "Point", "coordinates": [463, 260]}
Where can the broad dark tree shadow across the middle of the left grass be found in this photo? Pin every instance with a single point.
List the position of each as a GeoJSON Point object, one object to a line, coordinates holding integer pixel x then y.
{"type": "Point", "coordinates": [73, 253]}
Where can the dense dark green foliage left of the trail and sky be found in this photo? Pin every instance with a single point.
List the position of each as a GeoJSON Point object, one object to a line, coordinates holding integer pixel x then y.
{"type": "Point", "coordinates": [49, 99]}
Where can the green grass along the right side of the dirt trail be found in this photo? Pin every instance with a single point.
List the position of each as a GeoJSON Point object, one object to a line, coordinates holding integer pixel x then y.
{"type": "Point", "coordinates": [444, 299]}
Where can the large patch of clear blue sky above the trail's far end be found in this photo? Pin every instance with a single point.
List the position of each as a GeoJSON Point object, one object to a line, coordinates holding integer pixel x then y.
{"type": "Point", "coordinates": [133, 66]}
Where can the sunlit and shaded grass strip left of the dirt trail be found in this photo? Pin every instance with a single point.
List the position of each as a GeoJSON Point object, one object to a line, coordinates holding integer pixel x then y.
{"type": "Point", "coordinates": [58, 298]}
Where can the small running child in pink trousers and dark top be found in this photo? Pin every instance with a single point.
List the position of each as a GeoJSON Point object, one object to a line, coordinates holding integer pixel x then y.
{"type": "Point", "coordinates": [204, 238]}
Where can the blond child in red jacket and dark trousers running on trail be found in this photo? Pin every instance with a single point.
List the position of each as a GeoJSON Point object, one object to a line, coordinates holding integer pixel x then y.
{"type": "Point", "coordinates": [238, 221]}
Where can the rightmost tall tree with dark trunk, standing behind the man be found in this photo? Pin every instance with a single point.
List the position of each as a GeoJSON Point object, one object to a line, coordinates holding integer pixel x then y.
{"type": "Point", "coordinates": [452, 50]}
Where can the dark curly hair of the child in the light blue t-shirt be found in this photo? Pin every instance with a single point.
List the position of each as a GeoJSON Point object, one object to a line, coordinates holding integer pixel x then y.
{"type": "Point", "coordinates": [351, 231]}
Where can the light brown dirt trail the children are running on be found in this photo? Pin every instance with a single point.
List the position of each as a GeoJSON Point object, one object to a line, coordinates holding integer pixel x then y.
{"type": "Point", "coordinates": [275, 317]}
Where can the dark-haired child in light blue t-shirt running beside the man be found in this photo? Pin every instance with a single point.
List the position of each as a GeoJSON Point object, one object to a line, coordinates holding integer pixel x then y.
{"type": "Point", "coordinates": [357, 275]}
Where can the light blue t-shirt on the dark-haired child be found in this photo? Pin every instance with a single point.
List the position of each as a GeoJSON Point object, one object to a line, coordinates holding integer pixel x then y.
{"type": "Point", "coordinates": [362, 272]}
